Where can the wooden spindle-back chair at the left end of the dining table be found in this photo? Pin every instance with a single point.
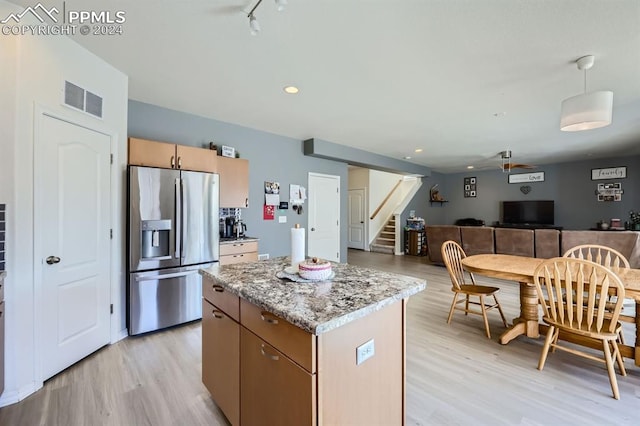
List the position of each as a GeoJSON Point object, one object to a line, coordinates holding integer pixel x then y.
{"type": "Point", "coordinates": [452, 254]}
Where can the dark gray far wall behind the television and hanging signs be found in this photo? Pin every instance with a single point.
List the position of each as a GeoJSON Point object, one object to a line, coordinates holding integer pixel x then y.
{"type": "Point", "coordinates": [568, 184]}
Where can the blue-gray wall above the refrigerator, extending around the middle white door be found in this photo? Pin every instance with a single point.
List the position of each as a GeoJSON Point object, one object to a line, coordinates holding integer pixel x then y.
{"type": "Point", "coordinates": [271, 158]}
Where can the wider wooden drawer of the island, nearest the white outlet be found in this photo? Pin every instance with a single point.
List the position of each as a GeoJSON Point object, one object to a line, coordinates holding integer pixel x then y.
{"type": "Point", "coordinates": [292, 341]}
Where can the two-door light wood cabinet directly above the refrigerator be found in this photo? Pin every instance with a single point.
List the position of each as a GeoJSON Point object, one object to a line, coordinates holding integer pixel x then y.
{"type": "Point", "coordinates": [144, 152]}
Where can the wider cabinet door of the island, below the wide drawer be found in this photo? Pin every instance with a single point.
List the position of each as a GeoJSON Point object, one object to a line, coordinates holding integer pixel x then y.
{"type": "Point", "coordinates": [274, 389]}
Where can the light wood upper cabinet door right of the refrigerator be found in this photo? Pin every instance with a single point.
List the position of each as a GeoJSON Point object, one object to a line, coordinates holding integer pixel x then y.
{"type": "Point", "coordinates": [234, 182]}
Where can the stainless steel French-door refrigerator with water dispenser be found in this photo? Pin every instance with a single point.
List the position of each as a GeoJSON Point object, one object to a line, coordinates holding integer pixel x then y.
{"type": "Point", "coordinates": [173, 232]}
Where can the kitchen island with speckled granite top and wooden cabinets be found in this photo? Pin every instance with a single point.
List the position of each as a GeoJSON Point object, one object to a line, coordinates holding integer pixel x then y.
{"type": "Point", "coordinates": [281, 352]}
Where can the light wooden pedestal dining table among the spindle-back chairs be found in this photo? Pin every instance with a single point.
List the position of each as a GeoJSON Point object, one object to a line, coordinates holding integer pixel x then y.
{"type": "Point", "coordinates": [521, 269]}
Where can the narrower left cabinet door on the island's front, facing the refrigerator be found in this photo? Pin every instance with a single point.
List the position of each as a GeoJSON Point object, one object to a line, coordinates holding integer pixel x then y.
{"type": "Point", "coordinates": [221, 360]}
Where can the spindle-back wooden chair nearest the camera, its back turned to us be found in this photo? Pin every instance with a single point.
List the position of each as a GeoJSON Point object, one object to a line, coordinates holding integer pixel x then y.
{"type": "Point", "coordinates": [572, 293]}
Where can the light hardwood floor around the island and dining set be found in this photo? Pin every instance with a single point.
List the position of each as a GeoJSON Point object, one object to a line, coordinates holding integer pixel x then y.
{"type": "Point", "coordinates": [455, 375]}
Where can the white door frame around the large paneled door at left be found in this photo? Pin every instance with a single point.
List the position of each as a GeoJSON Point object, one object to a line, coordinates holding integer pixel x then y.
{"type": "Point", "coordinates": [40, 111]}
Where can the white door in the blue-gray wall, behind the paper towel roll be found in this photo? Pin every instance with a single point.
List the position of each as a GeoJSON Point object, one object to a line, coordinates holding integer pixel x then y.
{"type": "Point", "coordinates": [324, 217]}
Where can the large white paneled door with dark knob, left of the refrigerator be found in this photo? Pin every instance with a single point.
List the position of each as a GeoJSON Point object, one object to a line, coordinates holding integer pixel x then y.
{"type": "Point", "coordinates": [73, 223]}
